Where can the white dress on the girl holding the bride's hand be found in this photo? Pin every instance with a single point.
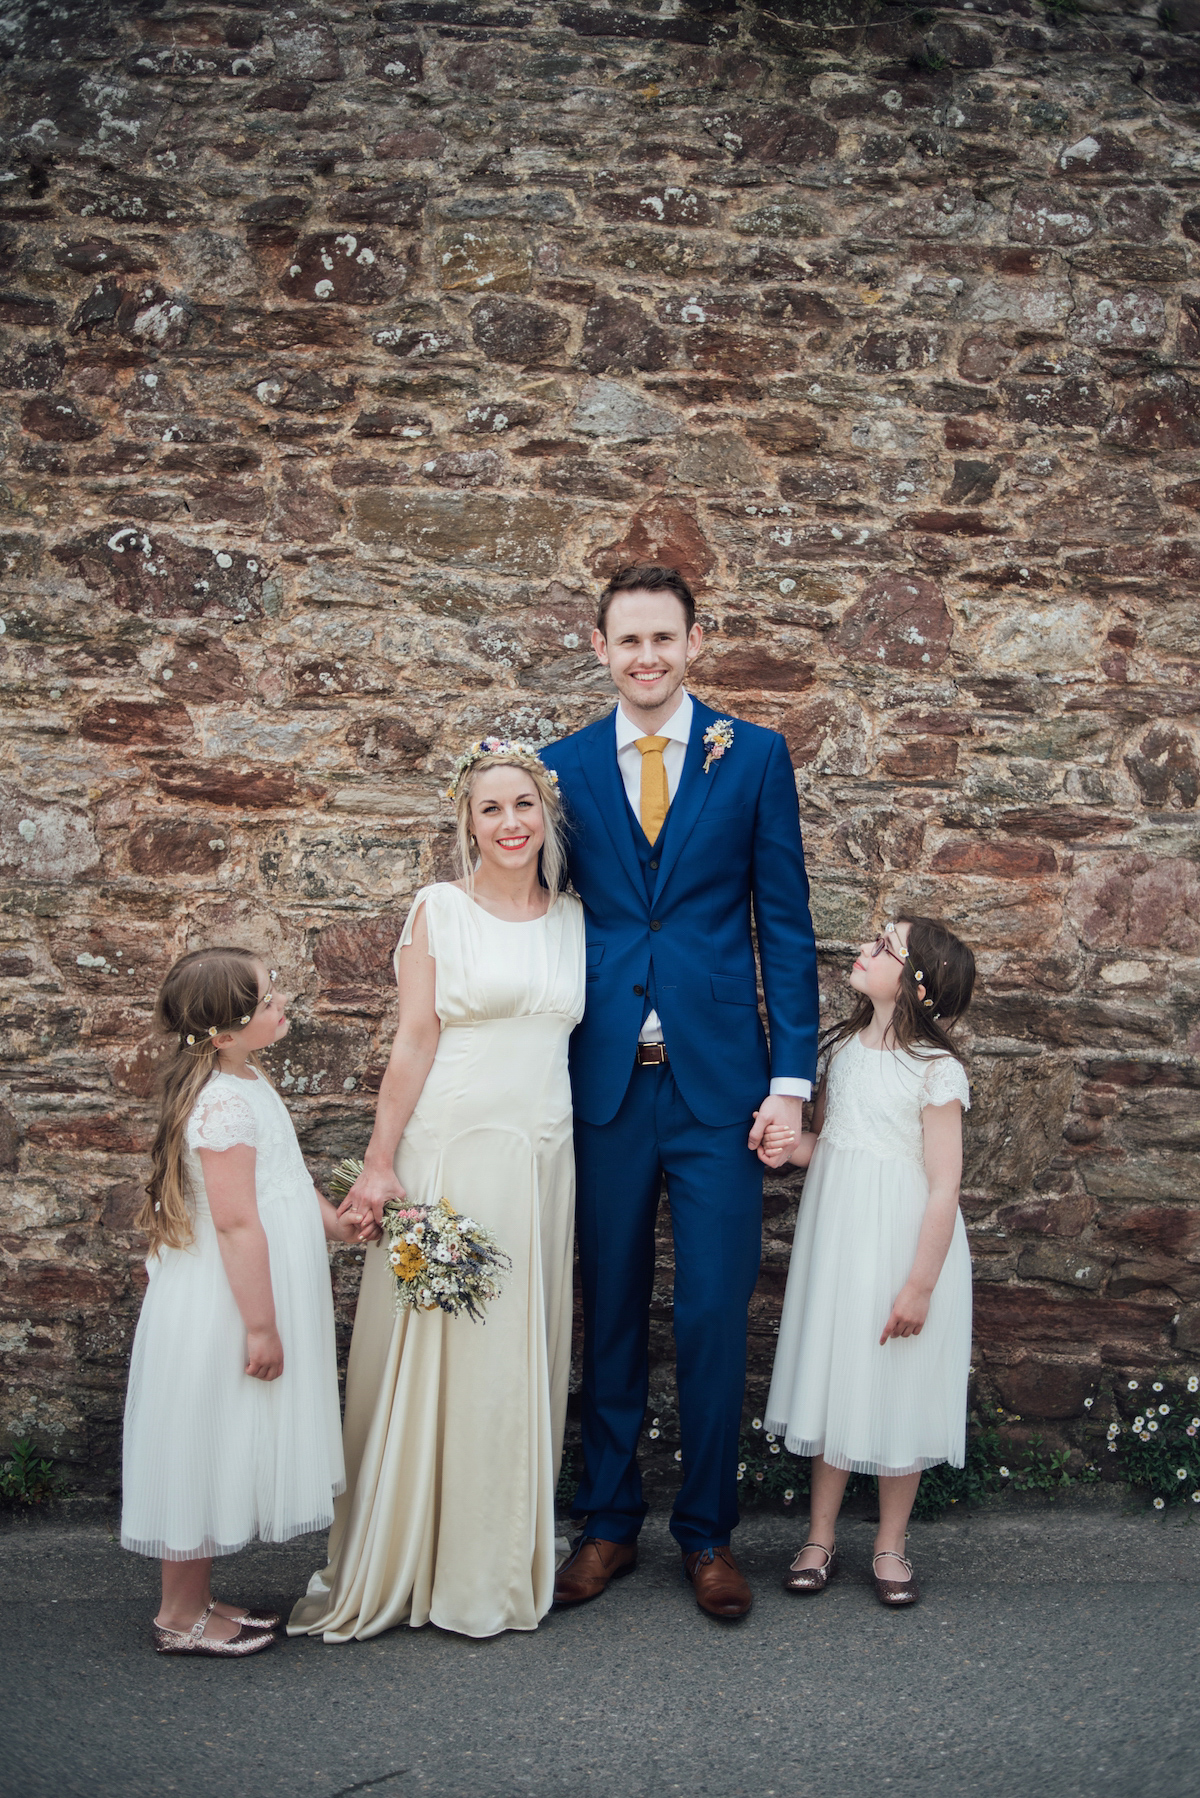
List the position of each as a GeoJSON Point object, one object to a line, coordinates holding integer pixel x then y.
{"type": "Point", "coordinates": [215, 1459]}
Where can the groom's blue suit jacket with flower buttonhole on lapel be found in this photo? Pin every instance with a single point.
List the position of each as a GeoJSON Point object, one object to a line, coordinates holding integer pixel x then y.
{"type": "Point", "coordinates": [733, 842]}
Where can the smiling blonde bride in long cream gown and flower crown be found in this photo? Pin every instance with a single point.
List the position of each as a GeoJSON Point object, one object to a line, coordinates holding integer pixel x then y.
{"type": "Point", "coordinates": [454, 1429]}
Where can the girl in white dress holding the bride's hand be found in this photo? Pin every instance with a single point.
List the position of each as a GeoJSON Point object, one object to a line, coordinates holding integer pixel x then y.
{"type": "Point", "coordinates": [233, 1429]}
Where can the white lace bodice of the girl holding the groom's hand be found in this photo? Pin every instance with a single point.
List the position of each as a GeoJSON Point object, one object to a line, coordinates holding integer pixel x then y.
{"type": "Point", "coordinates": [875, 1098]}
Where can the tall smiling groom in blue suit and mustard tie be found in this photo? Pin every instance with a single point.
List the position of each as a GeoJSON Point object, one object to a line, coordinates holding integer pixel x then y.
{"type": "Point", "coordinates": [685, 835]}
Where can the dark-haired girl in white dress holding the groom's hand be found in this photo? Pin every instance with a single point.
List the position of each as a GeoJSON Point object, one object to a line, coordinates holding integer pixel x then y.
{"type": "Point", "coordinates": [877, 1319]}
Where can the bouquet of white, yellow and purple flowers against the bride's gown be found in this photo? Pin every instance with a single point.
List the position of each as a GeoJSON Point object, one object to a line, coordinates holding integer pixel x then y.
{"type": "Point", "coordinates": [440, 1259]}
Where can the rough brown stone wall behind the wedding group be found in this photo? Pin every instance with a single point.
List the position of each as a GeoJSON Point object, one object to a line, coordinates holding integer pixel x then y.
{"type": "Point", "coordinates": [346, 348]}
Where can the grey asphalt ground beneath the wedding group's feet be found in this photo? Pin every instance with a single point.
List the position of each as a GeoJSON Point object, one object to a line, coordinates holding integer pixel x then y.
{"type": "Point", "coordinates": [1055, 1653]}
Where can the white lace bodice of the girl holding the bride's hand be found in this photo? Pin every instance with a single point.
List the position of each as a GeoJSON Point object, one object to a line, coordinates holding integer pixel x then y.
{"type": "Point", "coordinates": [231, 1112]}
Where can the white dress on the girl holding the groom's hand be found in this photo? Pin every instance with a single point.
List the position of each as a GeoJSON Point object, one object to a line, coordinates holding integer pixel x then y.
{"type": "Point", "coordinates": [836, 1393]}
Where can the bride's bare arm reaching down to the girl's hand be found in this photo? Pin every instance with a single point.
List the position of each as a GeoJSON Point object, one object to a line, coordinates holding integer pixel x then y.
{"type": "Point", "coordinates": [407, 1071]}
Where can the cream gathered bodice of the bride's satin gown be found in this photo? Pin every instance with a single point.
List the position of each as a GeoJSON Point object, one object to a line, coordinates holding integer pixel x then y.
{"type": "Point", "coordinates": [490, 968]}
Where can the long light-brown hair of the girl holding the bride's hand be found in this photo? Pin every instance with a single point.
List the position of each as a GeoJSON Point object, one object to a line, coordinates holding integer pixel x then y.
{"type": "Point", "coordinates": [206, 995]}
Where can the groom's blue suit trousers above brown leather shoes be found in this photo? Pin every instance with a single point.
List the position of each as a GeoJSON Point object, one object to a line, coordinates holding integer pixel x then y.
{"type": "Point", "coordinates": [715, 1191]}
